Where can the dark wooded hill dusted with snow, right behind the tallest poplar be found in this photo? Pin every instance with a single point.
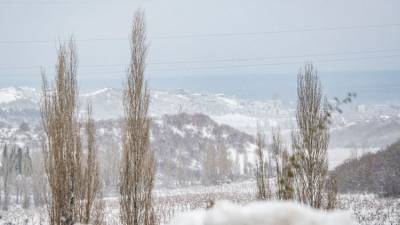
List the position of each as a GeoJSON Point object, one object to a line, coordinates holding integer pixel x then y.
{"type": "Point", "coordinates": [181, 142]}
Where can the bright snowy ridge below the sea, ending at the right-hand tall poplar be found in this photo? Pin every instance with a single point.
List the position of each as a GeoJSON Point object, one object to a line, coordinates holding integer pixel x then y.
{"type": "Point", "coordinates": [242, 114]}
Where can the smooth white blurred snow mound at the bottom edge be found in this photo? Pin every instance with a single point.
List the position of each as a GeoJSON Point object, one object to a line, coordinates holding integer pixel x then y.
{"type": "Point", "coordinates": [262, 213]}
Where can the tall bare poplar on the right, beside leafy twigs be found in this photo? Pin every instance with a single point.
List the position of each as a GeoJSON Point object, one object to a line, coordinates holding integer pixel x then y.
{"type": "Point", "coordinates": [310, 140]}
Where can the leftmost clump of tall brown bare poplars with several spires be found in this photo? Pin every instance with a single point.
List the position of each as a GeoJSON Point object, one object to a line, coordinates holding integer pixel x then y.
{"type": "Point", "coordinates": [72, 175]}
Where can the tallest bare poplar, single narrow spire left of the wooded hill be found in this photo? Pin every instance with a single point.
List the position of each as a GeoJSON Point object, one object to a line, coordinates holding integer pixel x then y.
{"type": "Point", "coordinates": [137, 163]}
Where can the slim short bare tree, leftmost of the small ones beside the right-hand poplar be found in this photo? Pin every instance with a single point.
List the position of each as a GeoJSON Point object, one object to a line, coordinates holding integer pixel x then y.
{"type": "Point", "coordinates": [262, 179]}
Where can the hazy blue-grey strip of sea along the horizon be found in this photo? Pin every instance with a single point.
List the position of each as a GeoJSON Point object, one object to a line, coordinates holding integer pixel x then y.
{"type": "Point", "coordinates": [372, 87]}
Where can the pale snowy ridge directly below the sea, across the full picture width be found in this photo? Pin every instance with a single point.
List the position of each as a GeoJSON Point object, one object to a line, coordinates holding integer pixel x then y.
{"type": "Point", "coordinates": [244, 114]}
